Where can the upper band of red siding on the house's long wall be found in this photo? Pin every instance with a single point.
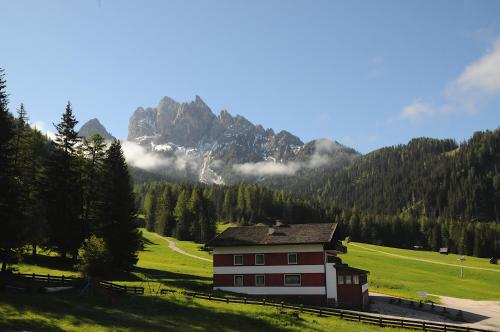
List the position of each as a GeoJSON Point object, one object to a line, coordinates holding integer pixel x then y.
{"type": "Point", "coordinates": [303, 258]}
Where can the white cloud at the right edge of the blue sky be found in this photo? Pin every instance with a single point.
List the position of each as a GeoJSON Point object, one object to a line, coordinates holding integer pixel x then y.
{"type": "Point", "coordinates": [479, 81]}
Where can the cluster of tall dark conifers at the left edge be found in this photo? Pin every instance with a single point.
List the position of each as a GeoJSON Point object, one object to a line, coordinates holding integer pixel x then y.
{"type": "Point", "coordinates": [56, 194]}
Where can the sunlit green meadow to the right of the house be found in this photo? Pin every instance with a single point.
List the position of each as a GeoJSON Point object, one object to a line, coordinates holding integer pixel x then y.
{"type": "Point", "coordinates": [403, 277]}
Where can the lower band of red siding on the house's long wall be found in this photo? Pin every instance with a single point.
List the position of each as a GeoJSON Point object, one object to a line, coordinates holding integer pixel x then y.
{"type": "Point", "coordinates": [271, 280]}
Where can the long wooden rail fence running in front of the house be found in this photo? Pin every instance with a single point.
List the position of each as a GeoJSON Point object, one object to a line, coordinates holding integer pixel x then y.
{"type": "Point", "coordinates": [368, 318]}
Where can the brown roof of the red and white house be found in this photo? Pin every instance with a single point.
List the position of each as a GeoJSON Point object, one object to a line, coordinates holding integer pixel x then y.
{"type": "Point", "coordinates": [285, 234]}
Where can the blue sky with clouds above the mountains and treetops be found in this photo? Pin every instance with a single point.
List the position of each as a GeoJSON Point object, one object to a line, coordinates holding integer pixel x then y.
{"type": "Point", "coordinates": [365, 73]}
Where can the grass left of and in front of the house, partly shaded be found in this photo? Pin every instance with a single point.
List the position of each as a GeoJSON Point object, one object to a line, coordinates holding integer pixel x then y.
{"type": "Point", "coordinates": [158, 266]}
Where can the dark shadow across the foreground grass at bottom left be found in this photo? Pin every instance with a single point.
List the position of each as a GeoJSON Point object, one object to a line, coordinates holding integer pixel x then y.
{"type": "Point", "coordinates": [25, 311]}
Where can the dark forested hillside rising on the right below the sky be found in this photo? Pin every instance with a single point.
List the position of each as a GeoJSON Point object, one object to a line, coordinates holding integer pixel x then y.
{"type": "Point", "coordinates": [426, 177]}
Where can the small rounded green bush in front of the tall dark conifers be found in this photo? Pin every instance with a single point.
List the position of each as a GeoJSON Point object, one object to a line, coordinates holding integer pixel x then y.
{"type": "Point", "coordinates": [94, 258]}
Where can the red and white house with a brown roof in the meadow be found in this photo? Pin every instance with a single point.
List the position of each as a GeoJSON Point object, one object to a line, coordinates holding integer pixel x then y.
{"type": "Point", "coordinates": [297, 263]}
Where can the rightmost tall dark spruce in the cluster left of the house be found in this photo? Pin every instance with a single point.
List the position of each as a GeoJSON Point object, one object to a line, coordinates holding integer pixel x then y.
{"type": "Point", "coordinates": [118, 213]}
